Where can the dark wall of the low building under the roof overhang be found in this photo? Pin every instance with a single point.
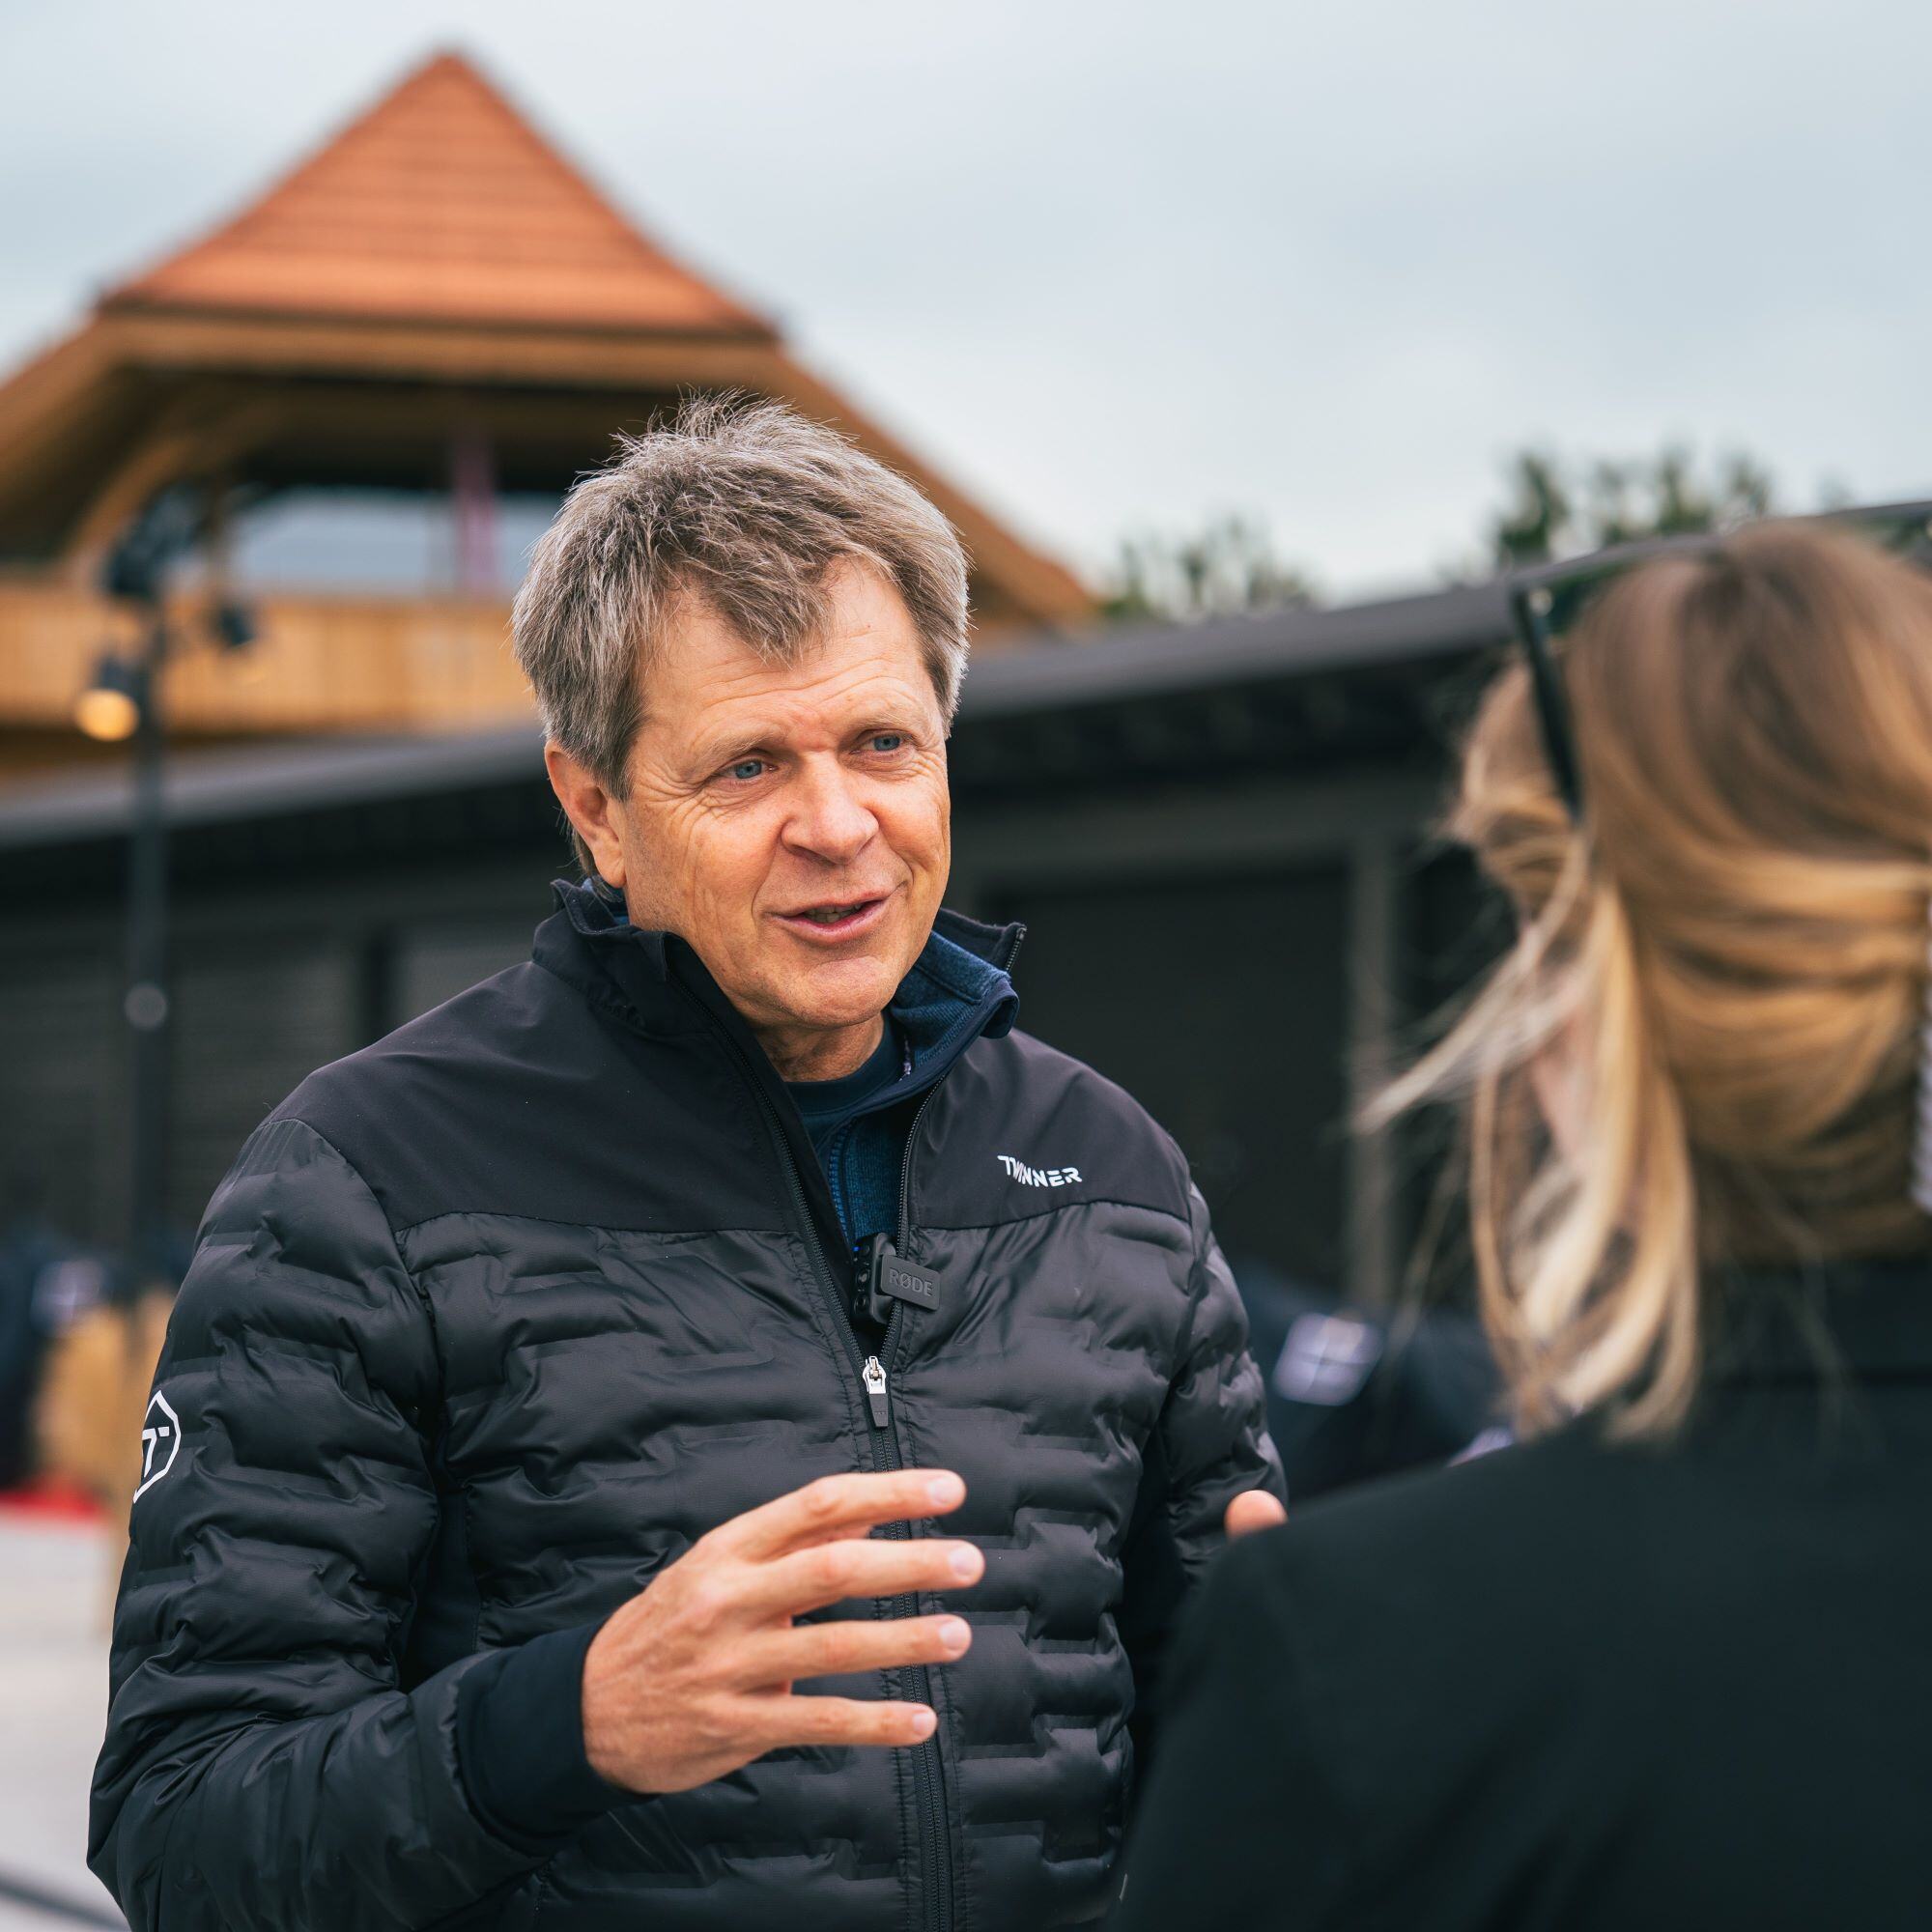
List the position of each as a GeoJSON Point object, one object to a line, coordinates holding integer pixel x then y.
{"type": "Point", "coordinates": [1230, 950]}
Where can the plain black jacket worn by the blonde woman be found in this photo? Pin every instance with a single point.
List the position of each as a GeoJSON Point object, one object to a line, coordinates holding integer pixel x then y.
{"type": "Point", "coordinates": [1579, 1686]}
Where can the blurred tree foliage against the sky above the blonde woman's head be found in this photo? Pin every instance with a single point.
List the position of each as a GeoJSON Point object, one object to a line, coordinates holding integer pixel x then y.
{"type": "Point", "coordinates": [1562, 509]}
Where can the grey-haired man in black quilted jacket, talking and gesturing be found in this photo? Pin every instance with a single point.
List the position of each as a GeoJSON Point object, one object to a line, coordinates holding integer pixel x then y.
{"type": "Point", "coordinates": [569, 1390]}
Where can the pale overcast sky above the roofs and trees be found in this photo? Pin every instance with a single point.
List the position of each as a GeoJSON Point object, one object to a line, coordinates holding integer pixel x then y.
{"type": "Point", "coordinates": [1123, 266]}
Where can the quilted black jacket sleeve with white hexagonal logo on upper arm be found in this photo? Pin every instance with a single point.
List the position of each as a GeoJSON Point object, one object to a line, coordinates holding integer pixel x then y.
{"type": "Point", "coordinates": [262, 1767]}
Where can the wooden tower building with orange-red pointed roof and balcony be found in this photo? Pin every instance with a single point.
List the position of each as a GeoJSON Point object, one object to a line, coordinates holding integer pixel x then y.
{"type": "Point", "coordinates": [384, 374]}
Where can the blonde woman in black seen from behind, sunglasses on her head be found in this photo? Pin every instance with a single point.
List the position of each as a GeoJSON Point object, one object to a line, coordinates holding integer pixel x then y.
{"type": "Point", "coordinates": [1668, 1662]}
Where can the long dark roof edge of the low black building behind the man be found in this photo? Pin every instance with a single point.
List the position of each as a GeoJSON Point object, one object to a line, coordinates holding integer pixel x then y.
{"type": "Point", "coordinates": [1120, 712]}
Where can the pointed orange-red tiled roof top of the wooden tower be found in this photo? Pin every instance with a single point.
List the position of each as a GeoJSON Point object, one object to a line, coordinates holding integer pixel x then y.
{"type": "Point", "coordinates": [441, 204]}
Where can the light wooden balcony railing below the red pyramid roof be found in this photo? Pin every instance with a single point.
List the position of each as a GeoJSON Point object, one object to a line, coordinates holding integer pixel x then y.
{"type": "Point", "coordinates": [322, 664]}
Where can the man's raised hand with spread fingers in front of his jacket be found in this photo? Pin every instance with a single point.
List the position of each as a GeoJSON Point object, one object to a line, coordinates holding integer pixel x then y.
{"type": "Point", "coordinates": [695, 1676]}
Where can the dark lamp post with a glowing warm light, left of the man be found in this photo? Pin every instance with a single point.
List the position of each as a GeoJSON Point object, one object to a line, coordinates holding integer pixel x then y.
{"type": "Point", "coordinates": [125, 700]}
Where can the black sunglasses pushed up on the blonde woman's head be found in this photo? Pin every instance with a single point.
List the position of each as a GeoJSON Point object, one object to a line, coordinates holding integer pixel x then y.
{"type": "Point", "coordinates": [1545, 602]}
